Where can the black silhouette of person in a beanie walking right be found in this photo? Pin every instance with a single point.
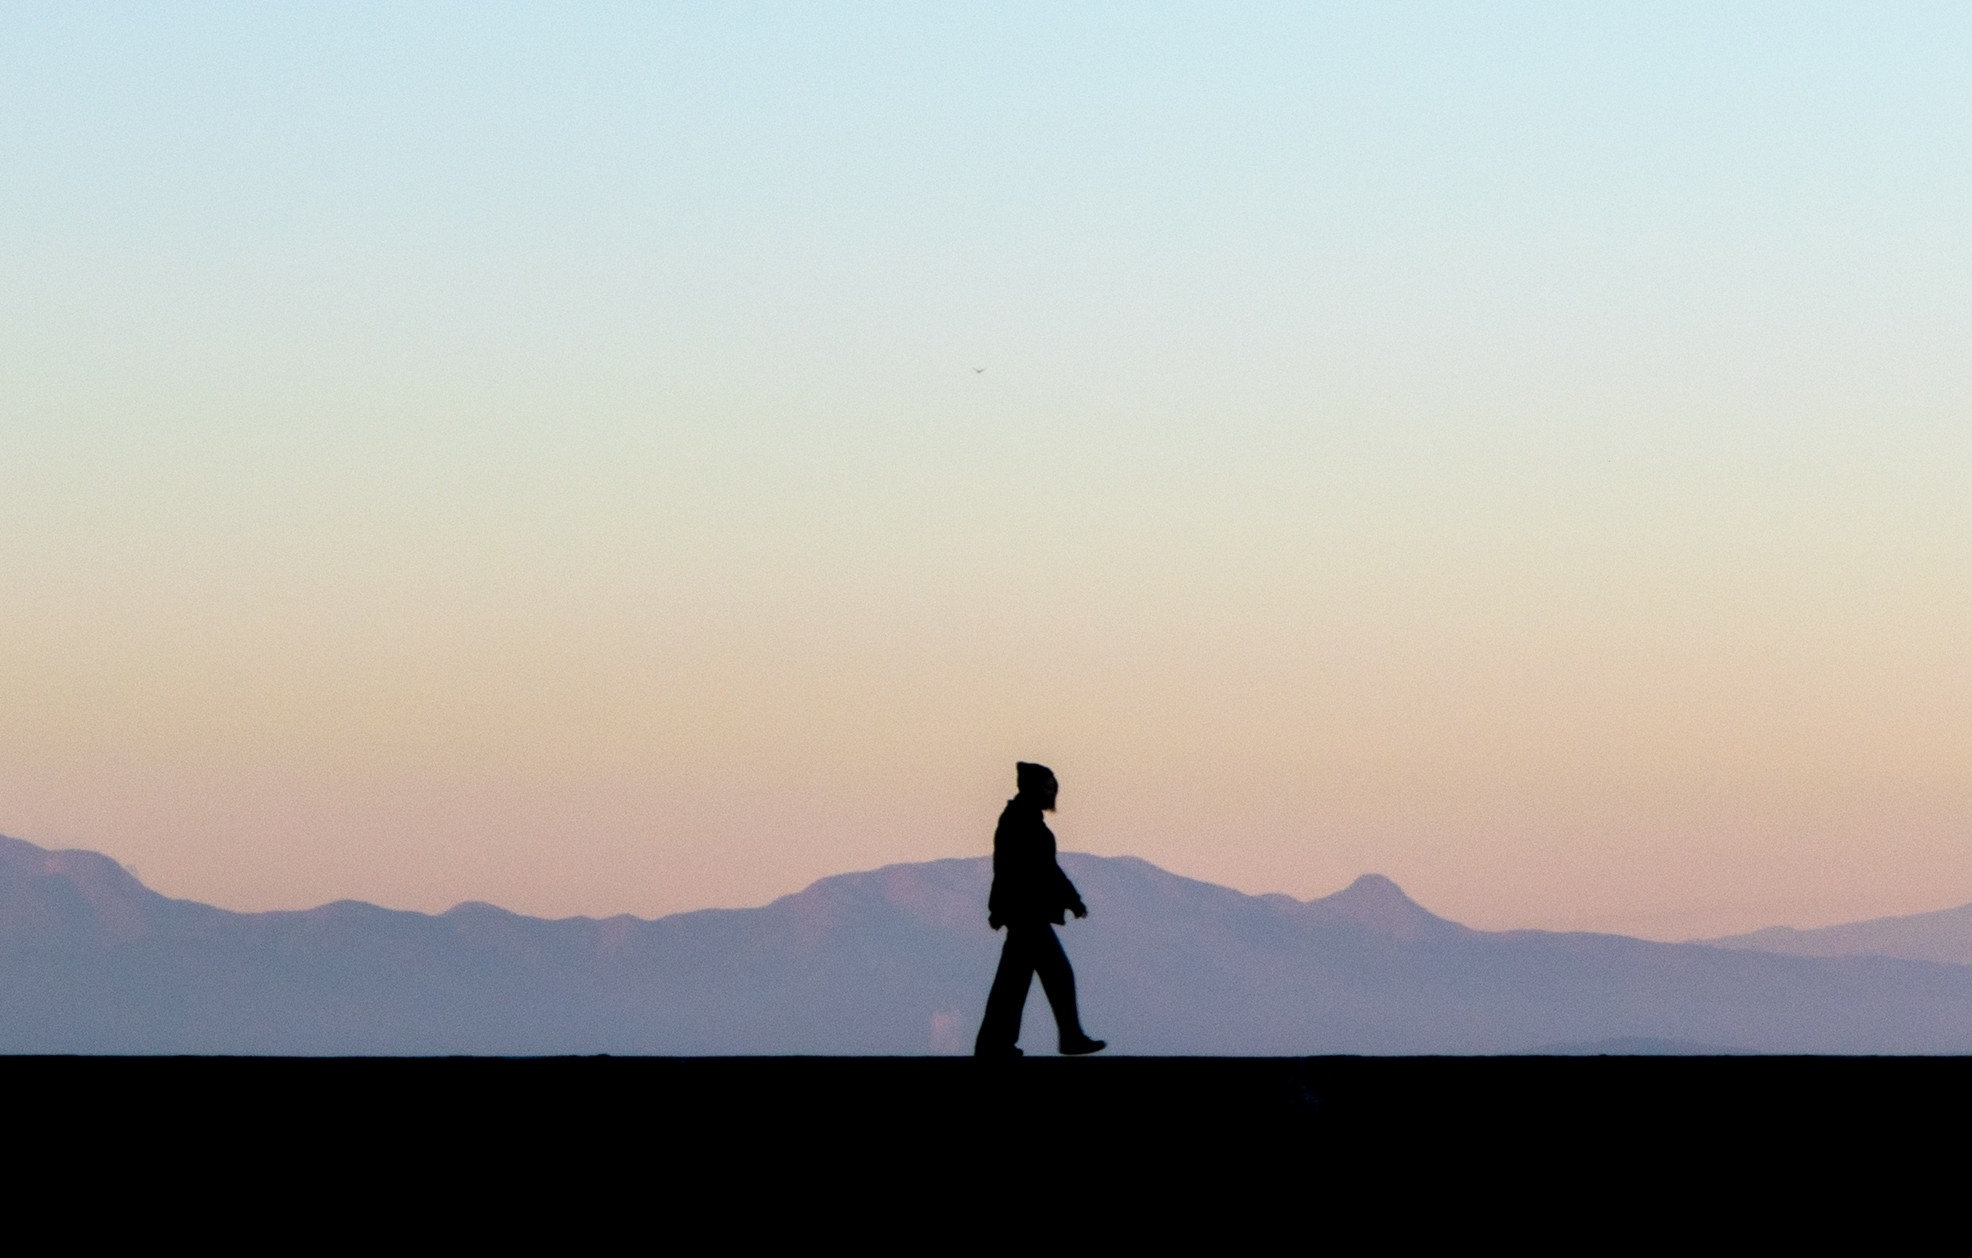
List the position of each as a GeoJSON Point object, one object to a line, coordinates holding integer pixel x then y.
{"type": "Point", "coordinates": [1030, 898]}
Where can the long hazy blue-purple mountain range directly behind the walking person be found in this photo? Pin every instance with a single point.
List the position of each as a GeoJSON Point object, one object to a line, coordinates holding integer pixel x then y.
{"type": "Point", "coordinates": [898, 961]}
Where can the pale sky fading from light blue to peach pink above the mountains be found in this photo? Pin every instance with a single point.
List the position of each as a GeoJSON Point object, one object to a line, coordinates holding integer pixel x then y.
{"type": "Point", "coordinates": [537, 453]}
